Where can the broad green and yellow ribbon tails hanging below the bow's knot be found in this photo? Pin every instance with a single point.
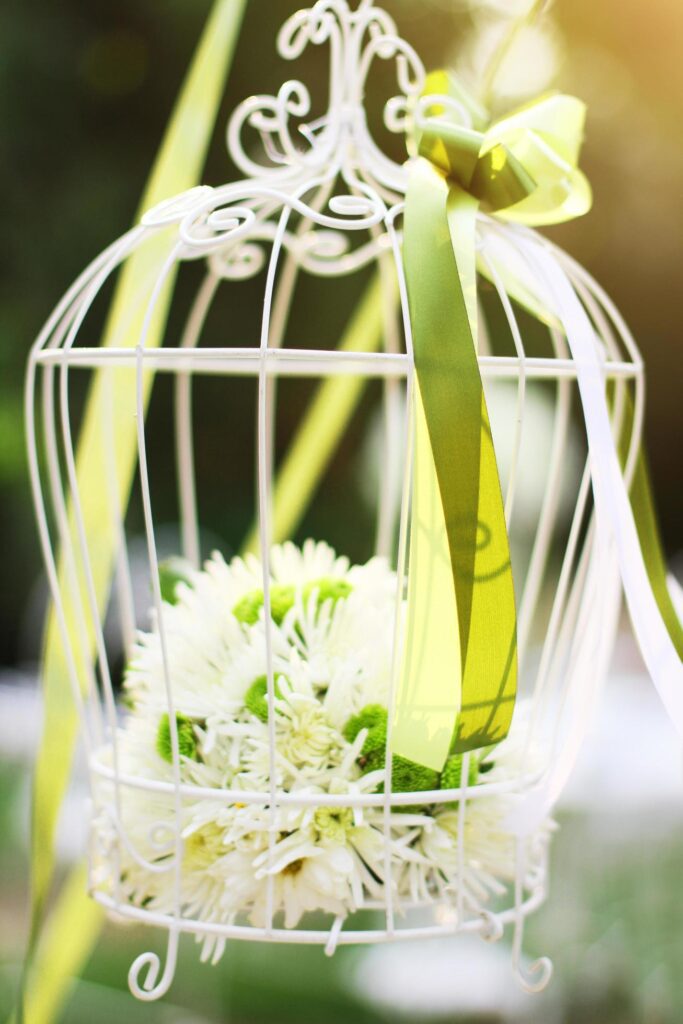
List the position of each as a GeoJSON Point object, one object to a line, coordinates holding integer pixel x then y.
{"type": "Point", "coordinates": [459, 672]}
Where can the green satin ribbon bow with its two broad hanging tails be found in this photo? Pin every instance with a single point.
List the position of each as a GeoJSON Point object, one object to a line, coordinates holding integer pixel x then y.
{"type": "Point", "coordinates": [459, 674]}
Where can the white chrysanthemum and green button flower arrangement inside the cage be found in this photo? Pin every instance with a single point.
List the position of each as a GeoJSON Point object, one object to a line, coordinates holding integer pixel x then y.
{"type": "Point", "coordinates": [332, 634]}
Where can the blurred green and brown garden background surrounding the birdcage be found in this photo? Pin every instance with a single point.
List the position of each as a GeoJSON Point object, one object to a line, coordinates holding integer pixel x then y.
{"type": "Point", "coordinates": [87, 90]}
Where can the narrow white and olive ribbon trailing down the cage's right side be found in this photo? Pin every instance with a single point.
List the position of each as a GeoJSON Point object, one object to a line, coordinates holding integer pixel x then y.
{"type": "Point", "coordinates": [626, 527]}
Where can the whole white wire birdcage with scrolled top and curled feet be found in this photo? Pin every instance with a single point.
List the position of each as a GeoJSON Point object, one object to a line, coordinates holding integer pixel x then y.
{"type": "Point", "coordinates": [328, 202]}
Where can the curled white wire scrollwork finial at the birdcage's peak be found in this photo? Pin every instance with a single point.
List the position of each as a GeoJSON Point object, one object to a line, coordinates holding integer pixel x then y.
{"type": "Point", "coordinates": [329, 169]}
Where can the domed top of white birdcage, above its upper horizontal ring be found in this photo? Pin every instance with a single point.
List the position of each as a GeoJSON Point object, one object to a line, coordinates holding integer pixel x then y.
{"type": "Point", "coordinates": [324, 193]}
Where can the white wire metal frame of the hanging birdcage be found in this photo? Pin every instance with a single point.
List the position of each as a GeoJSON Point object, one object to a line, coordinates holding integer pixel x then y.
{"type": "Point", "coordinates": [335, 179]}
